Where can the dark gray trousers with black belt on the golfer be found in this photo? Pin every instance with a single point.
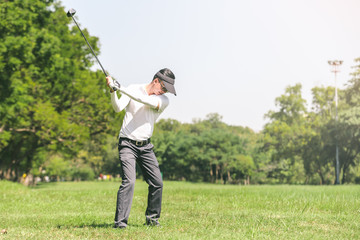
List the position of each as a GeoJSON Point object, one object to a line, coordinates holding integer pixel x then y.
{"type": "Point", "coordinates": [129, 154]}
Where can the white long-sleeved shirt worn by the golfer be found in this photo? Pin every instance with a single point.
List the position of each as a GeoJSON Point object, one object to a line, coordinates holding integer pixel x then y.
{"type": "Point", "coordinates": [141, 114]}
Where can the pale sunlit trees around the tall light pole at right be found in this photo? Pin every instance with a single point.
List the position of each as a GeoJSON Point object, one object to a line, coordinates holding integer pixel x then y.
{"type": "Point", "coordinates": [297, 137]}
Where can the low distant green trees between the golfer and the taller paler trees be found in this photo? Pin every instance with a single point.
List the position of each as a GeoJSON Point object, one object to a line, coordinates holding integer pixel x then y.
{"type": "Point", "coordinates": [207, 150]}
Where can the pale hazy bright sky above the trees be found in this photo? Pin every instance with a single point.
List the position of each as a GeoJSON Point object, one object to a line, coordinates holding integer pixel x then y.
{"type": "Point", "coordinates": [231, 57]}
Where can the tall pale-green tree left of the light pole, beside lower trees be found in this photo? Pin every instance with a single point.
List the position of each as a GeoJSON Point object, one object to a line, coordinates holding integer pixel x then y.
{"type": "Point", "coordinates": [283, 133]}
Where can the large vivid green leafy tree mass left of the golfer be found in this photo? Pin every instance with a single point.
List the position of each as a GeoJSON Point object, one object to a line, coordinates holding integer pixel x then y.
{"type": "Point", "coordinates": [50, 100]}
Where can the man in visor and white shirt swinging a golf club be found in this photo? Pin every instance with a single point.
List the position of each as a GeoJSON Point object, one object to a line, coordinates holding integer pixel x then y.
{"type": "Point", "coordinates": [143, 104]}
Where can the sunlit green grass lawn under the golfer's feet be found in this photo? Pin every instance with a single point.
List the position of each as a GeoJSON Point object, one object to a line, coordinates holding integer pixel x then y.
{"type": "Point", "coordinates": [85, 210]}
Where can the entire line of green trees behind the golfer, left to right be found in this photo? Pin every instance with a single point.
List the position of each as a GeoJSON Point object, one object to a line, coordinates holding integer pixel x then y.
{"type": "Point", "coordinates": [56, 118]}
